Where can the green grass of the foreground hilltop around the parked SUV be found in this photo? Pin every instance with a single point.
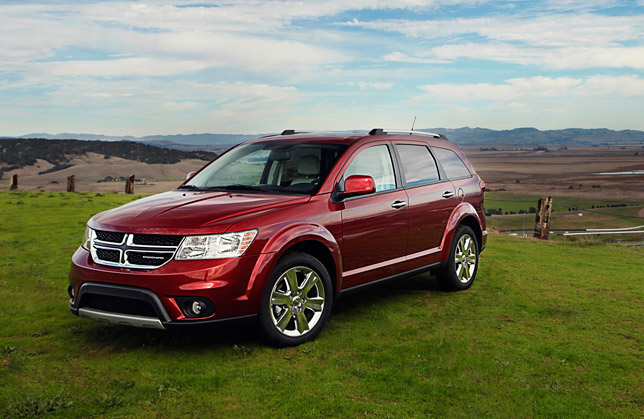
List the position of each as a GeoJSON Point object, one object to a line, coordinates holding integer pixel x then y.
{"type": "Point", "coordinates": [547, 330]}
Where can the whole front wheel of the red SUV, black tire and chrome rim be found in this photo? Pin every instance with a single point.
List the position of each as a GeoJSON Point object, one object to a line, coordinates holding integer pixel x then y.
{"type": "Point", "coordinates": [288, 318]}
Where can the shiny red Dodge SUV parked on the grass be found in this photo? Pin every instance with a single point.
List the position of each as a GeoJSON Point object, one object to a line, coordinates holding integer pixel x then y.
{"type": "Point", "coordinates": [276, 228]}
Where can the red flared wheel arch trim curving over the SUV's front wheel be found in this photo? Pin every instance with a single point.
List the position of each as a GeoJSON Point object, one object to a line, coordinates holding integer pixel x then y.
{"type": "Point", "coordinates": [278, 245]}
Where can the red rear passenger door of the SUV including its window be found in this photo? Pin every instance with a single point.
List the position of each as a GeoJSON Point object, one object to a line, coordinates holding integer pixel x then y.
{"type": "Point", "coordinates": [431, 200]}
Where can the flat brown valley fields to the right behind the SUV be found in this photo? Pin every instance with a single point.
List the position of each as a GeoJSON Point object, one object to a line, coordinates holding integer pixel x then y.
{"type": "Point", "coordinates": [569, 172]}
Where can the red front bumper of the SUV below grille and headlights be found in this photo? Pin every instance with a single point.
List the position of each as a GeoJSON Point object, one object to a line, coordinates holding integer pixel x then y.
{"type": "Point", "coordinates": [226, 283]}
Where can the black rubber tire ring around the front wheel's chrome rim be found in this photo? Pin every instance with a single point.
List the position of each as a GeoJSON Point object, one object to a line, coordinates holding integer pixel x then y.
{"type": "Point", "coordinates": [268, 329]}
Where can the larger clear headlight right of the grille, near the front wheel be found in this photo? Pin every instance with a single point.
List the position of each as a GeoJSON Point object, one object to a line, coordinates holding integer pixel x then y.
{"type": "Point", "coordinates": [216, 246]}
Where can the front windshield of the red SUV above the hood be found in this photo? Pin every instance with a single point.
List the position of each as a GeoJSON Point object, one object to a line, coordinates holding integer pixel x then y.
{"type": "Point", "coordinates": [270, 167]}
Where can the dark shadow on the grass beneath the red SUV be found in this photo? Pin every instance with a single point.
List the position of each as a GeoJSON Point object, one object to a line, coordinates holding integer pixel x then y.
{"type": "Point", "coordinates": [104, 337]}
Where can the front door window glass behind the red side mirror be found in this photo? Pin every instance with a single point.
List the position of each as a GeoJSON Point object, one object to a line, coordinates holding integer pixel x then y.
{"type": "Point", "coordinates": [375, 162]}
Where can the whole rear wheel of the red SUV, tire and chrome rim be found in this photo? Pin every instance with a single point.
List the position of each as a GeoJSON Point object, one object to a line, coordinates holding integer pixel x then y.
{"type": "Point", "coordinates": [460, 269]}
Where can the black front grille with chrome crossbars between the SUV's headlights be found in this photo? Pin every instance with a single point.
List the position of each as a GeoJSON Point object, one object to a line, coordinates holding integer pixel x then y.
{"type": "Point", "coordinates": [143, 251]}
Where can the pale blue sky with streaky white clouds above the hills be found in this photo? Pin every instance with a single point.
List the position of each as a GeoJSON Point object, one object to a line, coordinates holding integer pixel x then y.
{"type": "Point", "coordinates": [165, 67]}
